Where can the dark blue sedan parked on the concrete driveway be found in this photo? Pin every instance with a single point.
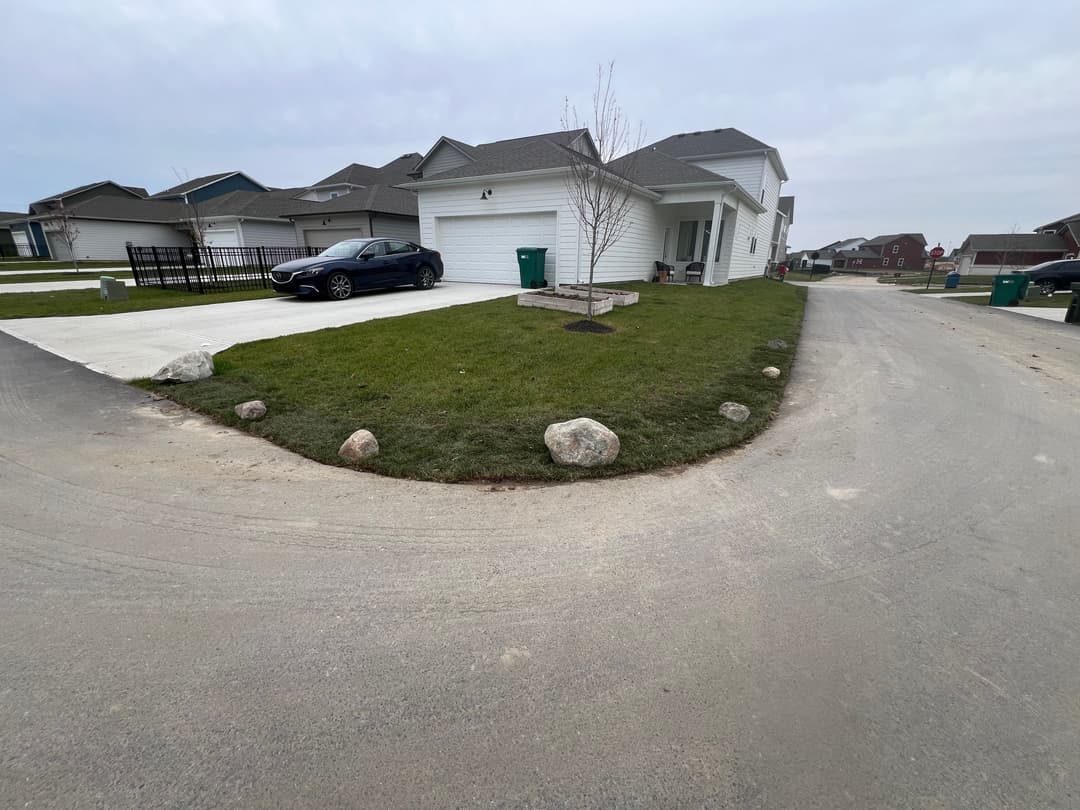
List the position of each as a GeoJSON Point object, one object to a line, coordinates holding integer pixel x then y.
{"type": "Point", "coordinates": [360, 264]}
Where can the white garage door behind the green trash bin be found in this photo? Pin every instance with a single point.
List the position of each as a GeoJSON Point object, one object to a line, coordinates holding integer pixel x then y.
{"type": "Point", "coordinates": [485, 249]}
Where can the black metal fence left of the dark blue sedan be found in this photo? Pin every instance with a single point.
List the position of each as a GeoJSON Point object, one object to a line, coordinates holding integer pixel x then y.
{"type": "Point", "coordinates": [210, 269]}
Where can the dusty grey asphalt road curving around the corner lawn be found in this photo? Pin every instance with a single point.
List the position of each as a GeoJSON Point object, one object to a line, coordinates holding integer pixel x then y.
{"type": "Point", "coordinates": [874, 604]}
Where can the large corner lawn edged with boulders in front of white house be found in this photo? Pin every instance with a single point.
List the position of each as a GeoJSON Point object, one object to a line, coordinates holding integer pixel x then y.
{"type": "Point", "coordinates": [466, 394]}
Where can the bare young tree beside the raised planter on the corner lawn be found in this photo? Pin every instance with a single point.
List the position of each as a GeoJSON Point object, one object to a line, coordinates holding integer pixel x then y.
{"type": "Point", "coordinates": [602, 199]}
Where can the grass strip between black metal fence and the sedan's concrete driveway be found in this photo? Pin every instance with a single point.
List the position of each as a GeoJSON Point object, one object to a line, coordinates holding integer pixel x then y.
{"type": "Point", "coordinates": [89, 302]}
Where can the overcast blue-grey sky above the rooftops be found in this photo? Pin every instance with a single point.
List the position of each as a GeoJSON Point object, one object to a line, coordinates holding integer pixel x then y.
{"type": "Point", "coordinates": [946, 118]}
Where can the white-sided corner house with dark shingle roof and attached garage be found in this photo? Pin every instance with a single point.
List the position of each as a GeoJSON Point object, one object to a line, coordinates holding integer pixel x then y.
{"type": "Point", "coordinates": [479, 204]}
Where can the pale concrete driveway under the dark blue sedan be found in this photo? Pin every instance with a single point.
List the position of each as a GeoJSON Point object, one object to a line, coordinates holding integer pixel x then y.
{"type": "Point", "coordinates": [138, 344]}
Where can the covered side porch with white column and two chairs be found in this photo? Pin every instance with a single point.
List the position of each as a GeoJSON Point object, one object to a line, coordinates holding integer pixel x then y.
{"type": "Point", "coordinates": [691, 237]}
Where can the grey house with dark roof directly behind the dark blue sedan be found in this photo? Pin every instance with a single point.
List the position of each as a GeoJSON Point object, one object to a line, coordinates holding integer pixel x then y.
{"type": "Point", "coordinates": [358, 201]}
